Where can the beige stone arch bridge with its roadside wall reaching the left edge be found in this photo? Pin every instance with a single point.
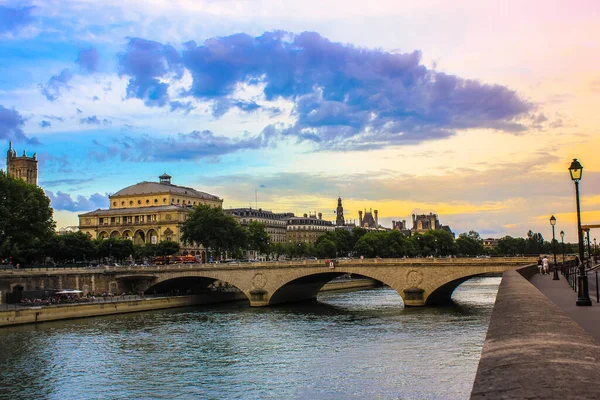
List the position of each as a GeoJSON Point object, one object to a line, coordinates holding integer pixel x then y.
{"type": "Point", "coordinates": [419, 282]}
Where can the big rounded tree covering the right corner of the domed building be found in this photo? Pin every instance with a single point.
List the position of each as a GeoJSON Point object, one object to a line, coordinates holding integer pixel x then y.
{"type": "Point", "coordinates": [210, 227]}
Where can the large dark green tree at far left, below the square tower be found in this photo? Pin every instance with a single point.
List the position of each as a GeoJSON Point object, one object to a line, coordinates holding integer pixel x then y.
{"type": "Point", "coordinates": [25, 215]}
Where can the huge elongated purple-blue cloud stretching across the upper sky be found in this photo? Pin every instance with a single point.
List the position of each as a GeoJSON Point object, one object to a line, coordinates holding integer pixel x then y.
{"type": "Point", "coordinates": [344, 97]}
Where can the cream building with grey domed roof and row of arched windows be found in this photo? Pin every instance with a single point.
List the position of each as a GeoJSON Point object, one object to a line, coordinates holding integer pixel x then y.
{"type": "Point", "coordinates": [148, 212]}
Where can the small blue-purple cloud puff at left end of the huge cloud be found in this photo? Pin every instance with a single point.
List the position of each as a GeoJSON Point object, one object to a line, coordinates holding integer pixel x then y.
{"type": "Point", "coordinates": [147, 63]}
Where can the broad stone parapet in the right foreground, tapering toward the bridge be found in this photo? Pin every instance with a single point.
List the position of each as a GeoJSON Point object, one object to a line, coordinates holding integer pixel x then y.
{"type": "Point", "coordinates": [533, 350]}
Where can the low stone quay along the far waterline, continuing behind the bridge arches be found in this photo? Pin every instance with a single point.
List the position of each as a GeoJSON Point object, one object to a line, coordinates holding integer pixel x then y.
{"type": "Point", "coordinates": [30, 315]}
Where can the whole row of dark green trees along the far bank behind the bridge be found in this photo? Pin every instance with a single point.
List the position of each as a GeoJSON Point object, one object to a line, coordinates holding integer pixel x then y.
{"type": "Point", "coordinates": [27, 236]}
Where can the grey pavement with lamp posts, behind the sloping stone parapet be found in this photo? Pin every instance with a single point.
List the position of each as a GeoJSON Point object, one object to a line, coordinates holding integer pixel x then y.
{"type": "Point", "coordinates": [565, 297]}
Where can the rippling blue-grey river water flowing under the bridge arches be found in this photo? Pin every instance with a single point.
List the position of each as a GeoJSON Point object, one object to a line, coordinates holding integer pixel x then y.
{"type": "Point", "coordinates": [356, 345]}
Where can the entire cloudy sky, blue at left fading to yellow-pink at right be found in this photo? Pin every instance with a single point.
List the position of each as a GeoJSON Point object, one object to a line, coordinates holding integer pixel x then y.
{"type": "Point", "coordinates": [469, 109]}
